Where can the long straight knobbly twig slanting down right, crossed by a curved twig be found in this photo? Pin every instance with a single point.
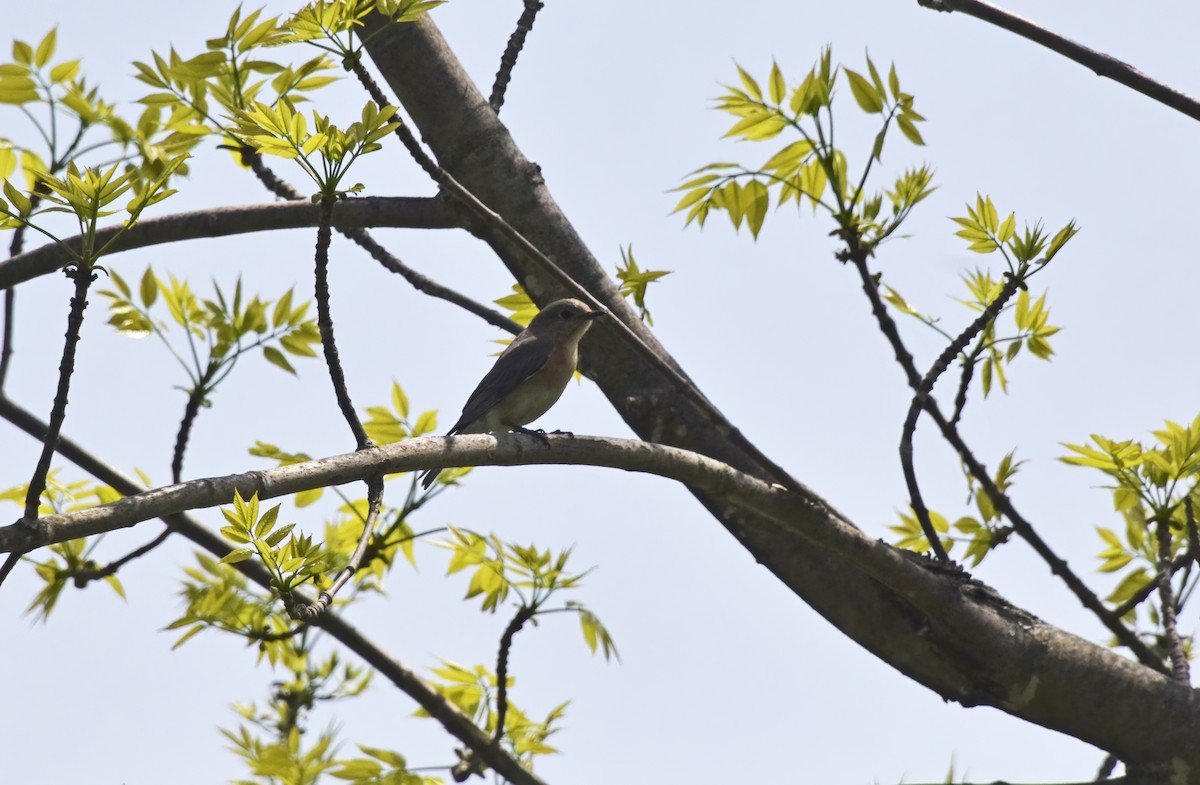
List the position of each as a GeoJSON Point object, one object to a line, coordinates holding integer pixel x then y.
{"type": "Point", "coordinates": [950, 433]}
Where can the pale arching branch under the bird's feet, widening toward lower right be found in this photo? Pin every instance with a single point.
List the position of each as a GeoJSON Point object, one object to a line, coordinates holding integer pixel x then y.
{"type": "Point", "coordinates": [1021, 664]}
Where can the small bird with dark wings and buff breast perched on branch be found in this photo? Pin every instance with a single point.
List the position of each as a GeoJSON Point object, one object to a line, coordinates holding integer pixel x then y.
{"type": "Point", "coordinates": [530, 376]}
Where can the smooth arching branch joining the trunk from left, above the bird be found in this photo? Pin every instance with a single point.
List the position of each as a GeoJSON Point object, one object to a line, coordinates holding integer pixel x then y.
{"type": "Point", "coordinates": [419, 213]}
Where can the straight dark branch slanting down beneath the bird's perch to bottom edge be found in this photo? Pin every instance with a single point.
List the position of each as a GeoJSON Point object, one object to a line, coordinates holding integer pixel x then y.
{"type": "Point", "coordinates": [452, 720]}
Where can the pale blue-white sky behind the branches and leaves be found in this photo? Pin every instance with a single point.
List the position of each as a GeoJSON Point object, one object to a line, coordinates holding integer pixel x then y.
{"type": "Point", "coordinates": [725, 675]}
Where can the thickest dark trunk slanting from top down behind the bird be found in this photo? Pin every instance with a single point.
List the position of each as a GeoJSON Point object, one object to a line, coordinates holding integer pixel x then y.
{"type": "Point", "coordinates": [471, 143]}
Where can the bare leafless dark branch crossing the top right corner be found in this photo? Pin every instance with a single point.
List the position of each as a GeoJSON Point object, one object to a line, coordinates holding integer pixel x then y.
{"type": "Point", "coordinates": [1102, 64]}
